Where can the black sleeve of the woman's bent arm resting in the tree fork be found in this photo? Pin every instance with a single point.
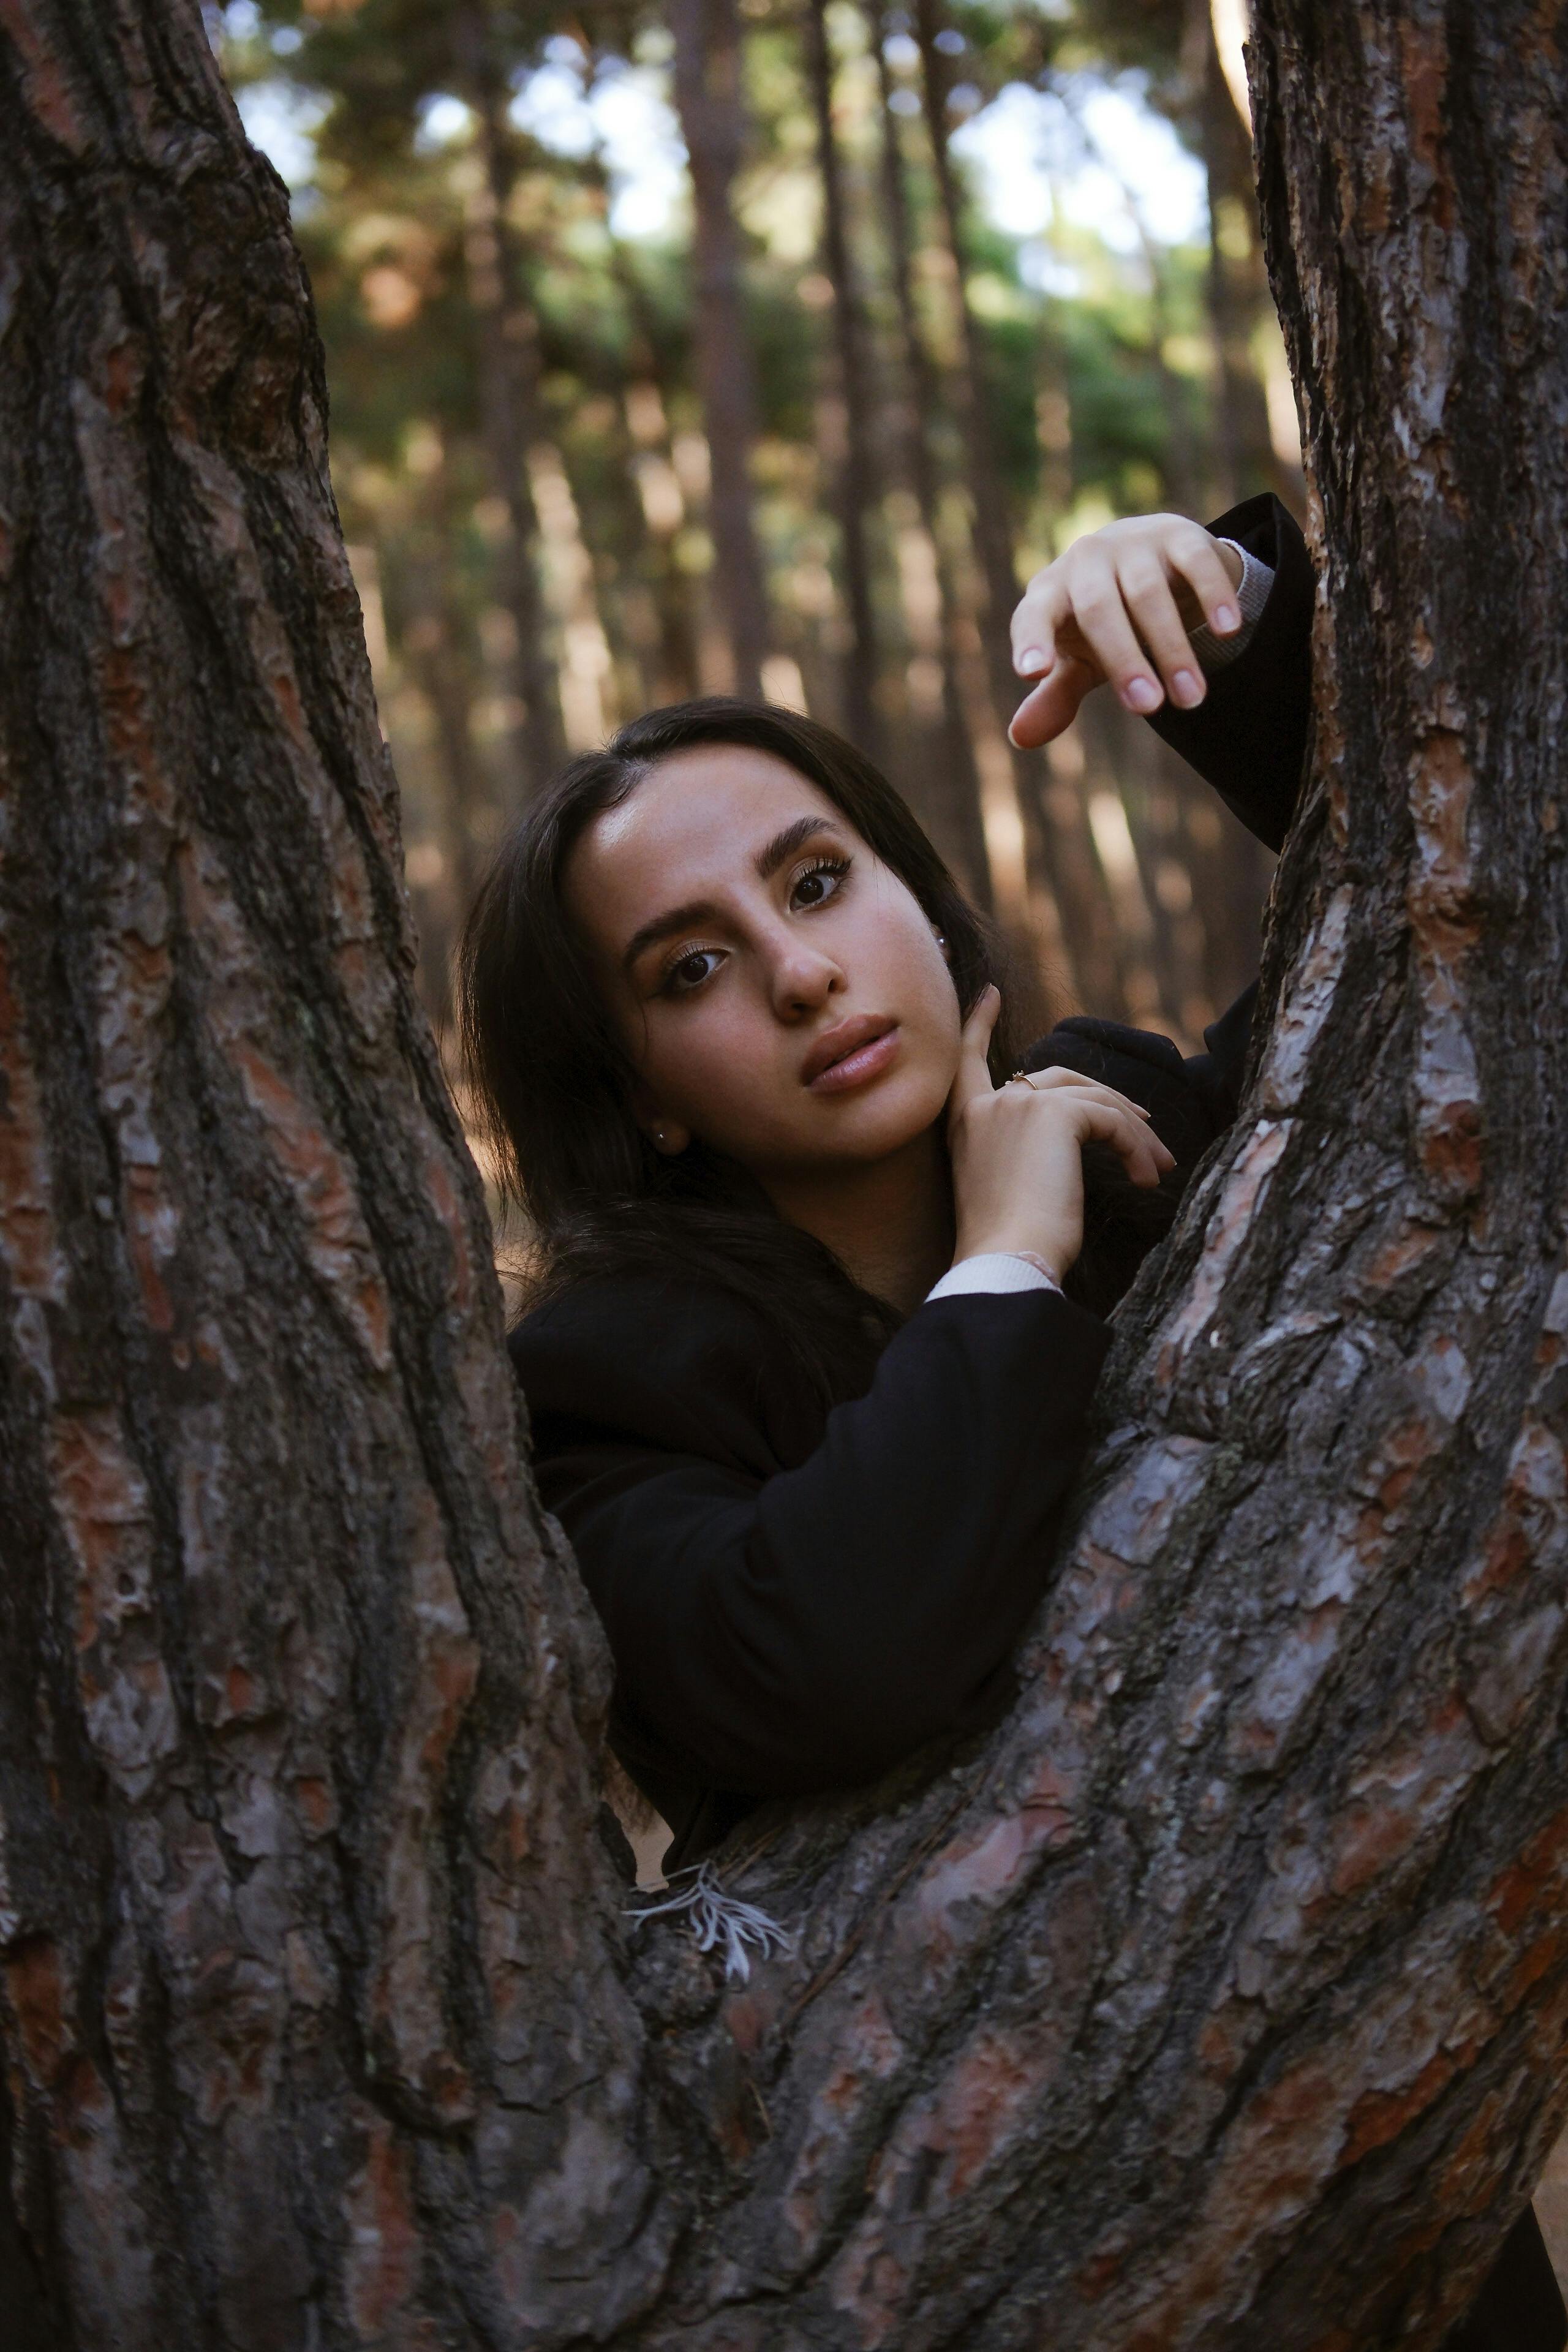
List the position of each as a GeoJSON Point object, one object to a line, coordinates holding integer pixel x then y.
{"type": "Point", "coordinates": [810, 1629]}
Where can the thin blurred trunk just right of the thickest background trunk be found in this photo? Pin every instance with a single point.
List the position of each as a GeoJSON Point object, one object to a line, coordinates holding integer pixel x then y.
{"type": "Point", "coordinates": [857, 472]}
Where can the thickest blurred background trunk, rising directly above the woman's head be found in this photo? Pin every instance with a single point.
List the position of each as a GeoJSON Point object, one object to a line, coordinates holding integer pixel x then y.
{"type": "Point", "coordinates": [711, 112]}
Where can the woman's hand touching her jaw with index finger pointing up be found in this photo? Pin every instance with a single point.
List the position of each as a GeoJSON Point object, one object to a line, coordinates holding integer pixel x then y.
{"type": "Point", "coordinates": [1019, 1151]}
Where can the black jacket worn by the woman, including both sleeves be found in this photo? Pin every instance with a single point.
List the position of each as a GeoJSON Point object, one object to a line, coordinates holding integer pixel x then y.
{"type": "Point", "coordinates": [798, 1601]}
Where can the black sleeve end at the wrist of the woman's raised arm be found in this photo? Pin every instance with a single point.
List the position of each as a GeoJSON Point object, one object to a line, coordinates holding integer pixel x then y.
{"type": "Point", "coordinates": [1249, 735]}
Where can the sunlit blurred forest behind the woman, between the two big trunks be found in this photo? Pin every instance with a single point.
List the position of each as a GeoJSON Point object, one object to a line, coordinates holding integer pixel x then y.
{"type": "Point", "coordinates": [770, 347]}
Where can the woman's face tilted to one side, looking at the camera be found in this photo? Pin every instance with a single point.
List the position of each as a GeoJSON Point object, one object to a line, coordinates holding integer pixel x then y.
{"type": "Point", "coordinates": [782, 991]}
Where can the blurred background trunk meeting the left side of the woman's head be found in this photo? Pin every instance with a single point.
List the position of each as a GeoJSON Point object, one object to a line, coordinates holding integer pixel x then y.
{"type": "Point", "coordinates": [509, 399]}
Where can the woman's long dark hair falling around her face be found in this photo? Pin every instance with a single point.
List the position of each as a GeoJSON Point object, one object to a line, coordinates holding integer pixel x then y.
{"type": "Point", "coordinates": [554, 1081]}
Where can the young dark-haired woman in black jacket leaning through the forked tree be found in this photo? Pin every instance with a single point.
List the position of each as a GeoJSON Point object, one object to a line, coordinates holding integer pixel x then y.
{"type": "Point", "coordinates": [815, 1337]}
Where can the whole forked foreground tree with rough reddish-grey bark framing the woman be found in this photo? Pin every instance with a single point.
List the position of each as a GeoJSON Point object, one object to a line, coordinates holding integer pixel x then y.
{"type": "Point", "coordinates": [1221, 1996]}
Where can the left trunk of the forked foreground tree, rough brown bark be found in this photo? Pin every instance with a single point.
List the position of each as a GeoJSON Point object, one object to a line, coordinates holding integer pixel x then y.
{"type": "Point", "coordinates": [276, 1822]}
